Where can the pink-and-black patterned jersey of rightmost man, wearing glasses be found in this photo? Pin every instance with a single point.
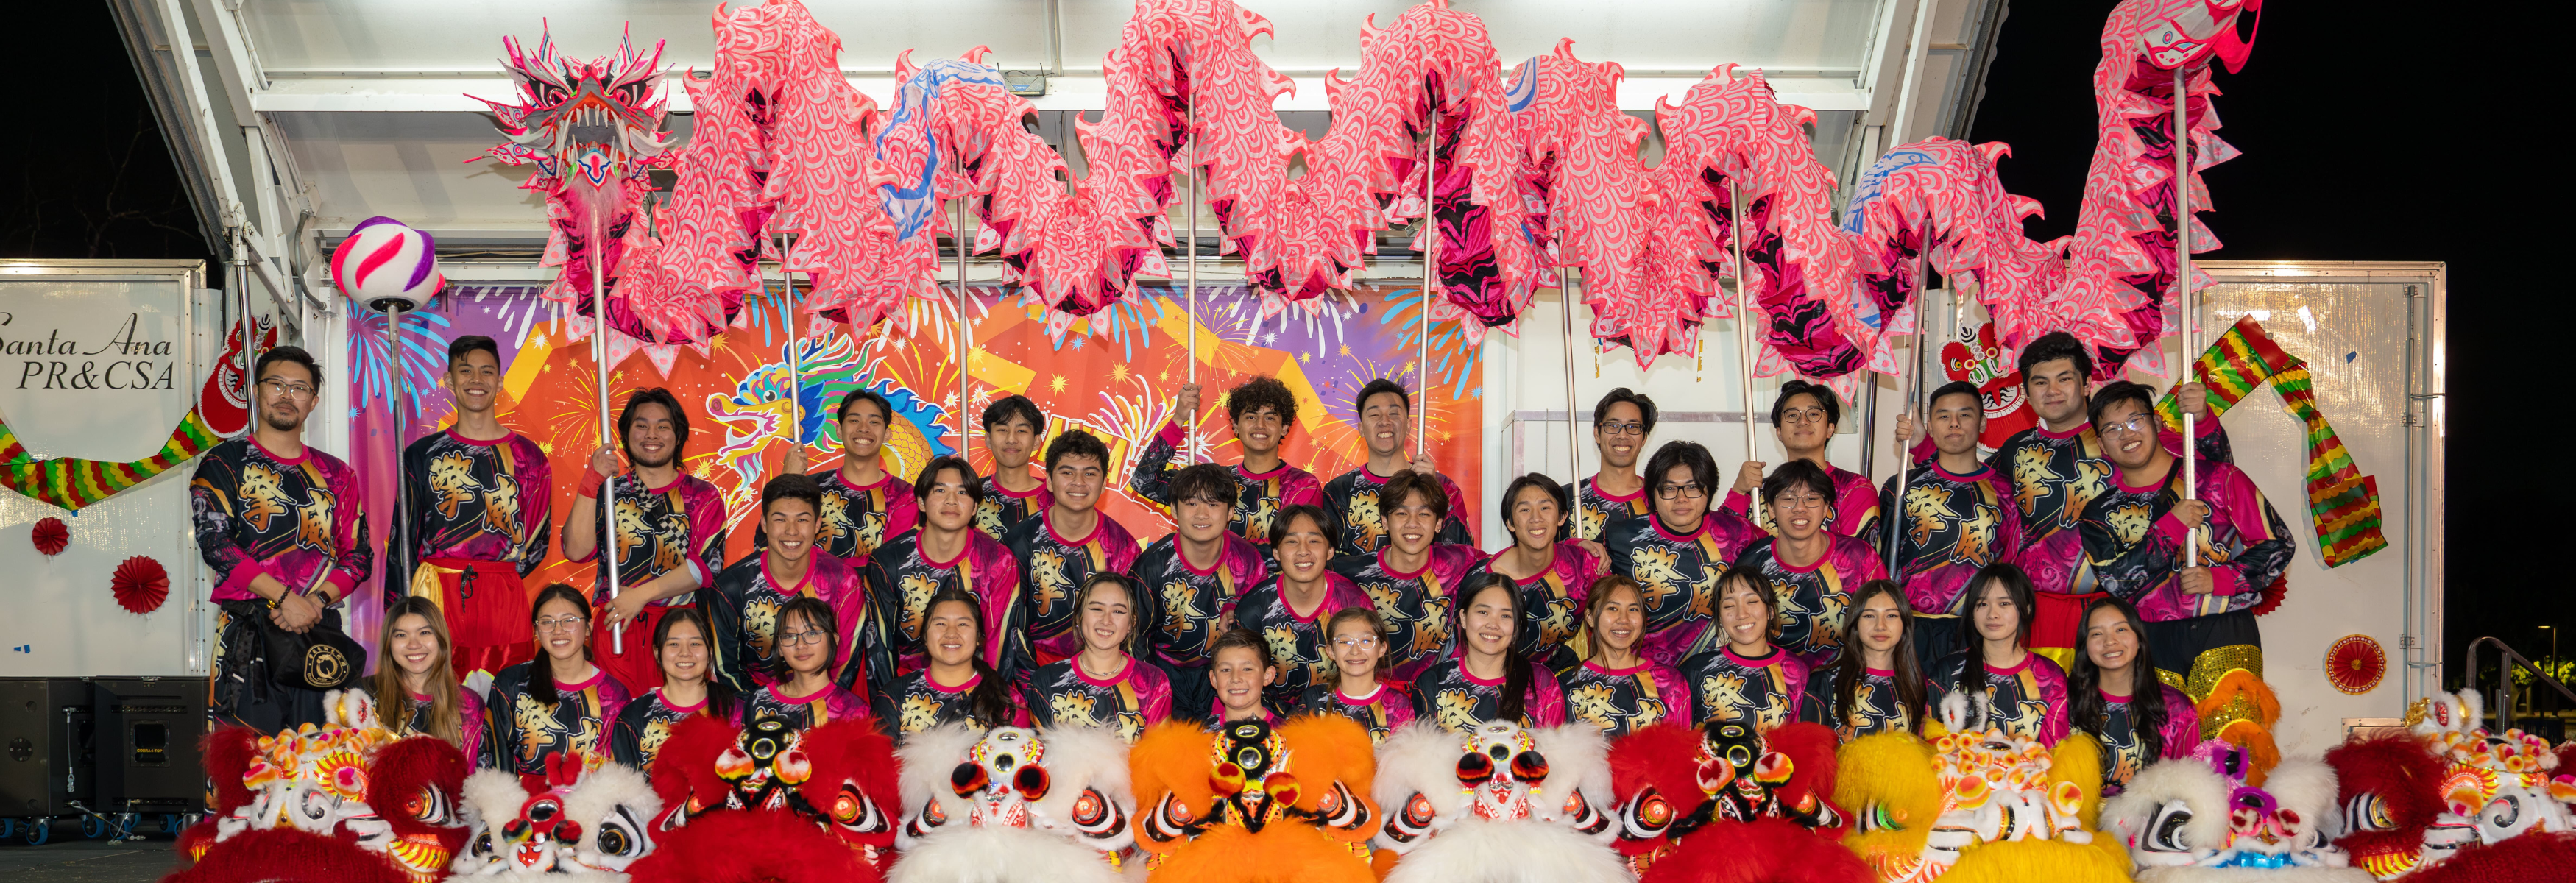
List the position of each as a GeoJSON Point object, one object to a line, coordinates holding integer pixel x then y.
{"type": "Point", "coordinates": [2134, 544]}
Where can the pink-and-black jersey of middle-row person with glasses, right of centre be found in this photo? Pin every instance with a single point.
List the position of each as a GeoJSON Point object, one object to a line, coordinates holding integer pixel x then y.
{"type": "Point", "coordinates": [1681, 578]}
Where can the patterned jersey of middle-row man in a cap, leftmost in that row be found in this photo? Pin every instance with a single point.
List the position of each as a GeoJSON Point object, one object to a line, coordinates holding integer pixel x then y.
{"type": "Point", "coordinates": [743, 609]}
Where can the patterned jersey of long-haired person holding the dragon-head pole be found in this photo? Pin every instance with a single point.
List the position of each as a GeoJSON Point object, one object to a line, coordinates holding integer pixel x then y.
{"type": "Point", "coordinates": [663, 529]}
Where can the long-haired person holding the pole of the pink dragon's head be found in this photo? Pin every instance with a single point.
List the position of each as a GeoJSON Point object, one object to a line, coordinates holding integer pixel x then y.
{"type": "Point", "coordinates": [668, 534]}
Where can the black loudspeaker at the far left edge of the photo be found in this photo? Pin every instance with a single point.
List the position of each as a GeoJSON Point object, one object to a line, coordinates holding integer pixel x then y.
{"type": "Point", "coordinates": [45, 748]}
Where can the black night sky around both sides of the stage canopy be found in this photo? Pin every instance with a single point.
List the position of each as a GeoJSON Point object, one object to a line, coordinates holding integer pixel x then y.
{"type": "Point", "coordinates": [2369, 133]}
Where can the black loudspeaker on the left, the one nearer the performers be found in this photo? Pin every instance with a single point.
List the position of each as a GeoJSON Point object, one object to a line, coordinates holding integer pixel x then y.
{"type": "Point", "coordinates": [148, 745]}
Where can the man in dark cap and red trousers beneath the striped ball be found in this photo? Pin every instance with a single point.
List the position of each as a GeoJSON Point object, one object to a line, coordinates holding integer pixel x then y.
{"type": "Point", "coordinates": [478, 514]}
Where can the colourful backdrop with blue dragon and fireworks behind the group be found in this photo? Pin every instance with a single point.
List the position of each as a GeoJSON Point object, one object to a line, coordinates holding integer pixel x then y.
{"type": "Point", "coordinates": [1114, 375]}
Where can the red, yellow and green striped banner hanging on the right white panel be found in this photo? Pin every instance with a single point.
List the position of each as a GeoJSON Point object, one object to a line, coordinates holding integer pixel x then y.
{"type": "Point", "coordinates": [2343, 501]}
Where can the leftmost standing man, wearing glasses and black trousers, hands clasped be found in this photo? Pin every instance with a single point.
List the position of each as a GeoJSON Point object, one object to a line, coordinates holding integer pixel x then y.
{"type": "Point", "coordinates": [285, 537]}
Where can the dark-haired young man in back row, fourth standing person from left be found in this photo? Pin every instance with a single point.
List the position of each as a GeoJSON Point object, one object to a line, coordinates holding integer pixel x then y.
{"type": "Point", "coordinates": [862, 503]}
